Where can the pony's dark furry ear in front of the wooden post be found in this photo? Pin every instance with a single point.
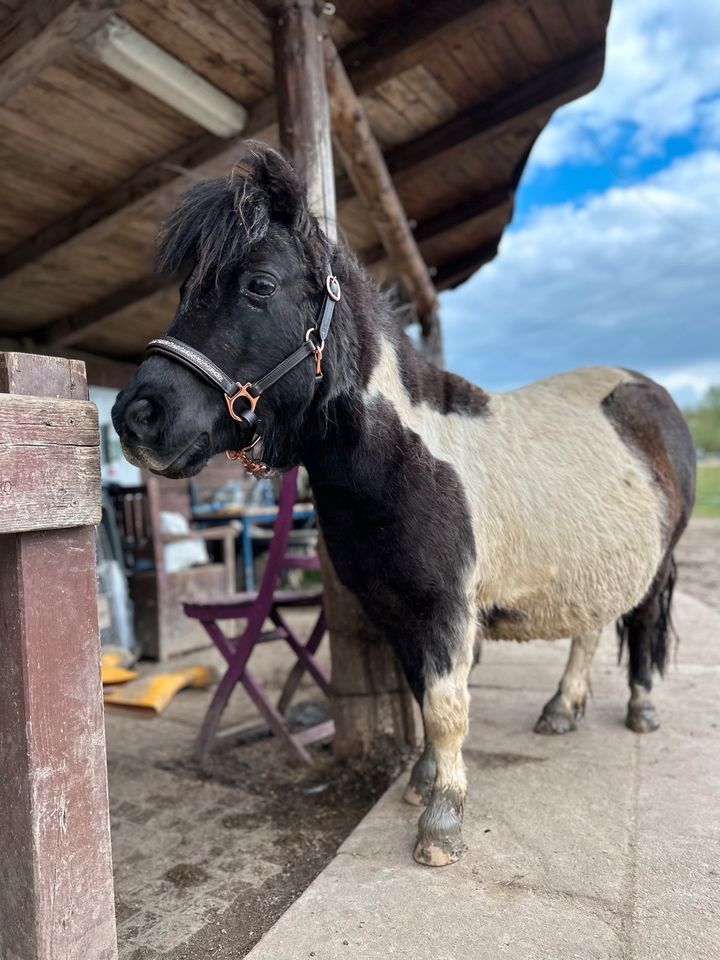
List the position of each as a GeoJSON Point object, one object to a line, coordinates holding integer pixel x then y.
{"type": "Point", "coordinates": [267, 170]}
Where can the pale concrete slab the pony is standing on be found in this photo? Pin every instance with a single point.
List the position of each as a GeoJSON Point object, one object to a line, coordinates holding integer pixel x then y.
{"type": "Point", "coordinates": [598, 844]}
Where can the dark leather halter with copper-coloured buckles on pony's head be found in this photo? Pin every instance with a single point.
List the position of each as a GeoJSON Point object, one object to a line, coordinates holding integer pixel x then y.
{"type": "Point", "coordinates": [313, 344]}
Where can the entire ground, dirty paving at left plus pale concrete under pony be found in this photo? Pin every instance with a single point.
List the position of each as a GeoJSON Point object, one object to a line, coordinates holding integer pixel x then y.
{"type": "Point", "coordinates": [598, 844]}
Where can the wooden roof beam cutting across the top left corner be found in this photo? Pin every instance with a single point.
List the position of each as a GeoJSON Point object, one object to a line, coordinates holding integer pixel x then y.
{"type": "Point", "coordinates": [42, 31]}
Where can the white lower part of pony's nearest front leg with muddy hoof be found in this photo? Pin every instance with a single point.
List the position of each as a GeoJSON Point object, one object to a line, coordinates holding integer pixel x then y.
{"type": "Point", "coordinates": [445, 713]}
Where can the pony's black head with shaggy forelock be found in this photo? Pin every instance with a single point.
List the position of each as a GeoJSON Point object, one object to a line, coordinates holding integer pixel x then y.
{"type": "Point", "coordinates": [254, 263]}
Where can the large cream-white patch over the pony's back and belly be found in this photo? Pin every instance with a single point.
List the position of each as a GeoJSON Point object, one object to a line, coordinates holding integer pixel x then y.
{"type": "Point", "coordinates": [566, 518]}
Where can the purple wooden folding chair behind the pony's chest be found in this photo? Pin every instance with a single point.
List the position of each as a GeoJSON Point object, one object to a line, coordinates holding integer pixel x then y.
{"type": "Point", "coordinates": [255, 608]}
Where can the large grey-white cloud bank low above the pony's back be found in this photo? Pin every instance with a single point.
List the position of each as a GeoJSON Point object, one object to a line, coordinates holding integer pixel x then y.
{"type": "Point", "coordinates": [632, 277]}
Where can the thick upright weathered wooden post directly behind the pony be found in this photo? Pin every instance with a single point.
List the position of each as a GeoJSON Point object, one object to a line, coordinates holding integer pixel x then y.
{"type": "Point", "coordinates": [371, 699]}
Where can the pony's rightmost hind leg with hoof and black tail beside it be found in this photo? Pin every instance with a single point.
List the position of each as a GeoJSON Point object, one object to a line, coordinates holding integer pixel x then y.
{"type": "Point", "coordinates": [645, 630]}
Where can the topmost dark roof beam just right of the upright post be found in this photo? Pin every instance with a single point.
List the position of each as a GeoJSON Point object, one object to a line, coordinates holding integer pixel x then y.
{"type": "Point", "coordinates": [399, 45]}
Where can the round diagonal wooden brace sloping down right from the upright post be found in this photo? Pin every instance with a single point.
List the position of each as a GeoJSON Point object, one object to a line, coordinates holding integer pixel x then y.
{"type": "Point", "coordinates": [363, 161]}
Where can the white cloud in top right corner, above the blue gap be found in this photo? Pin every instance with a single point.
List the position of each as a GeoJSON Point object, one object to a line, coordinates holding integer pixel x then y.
{"type": "Point", "coordinates": [661, 69]}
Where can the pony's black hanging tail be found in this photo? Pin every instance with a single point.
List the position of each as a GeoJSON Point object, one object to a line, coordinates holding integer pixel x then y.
{"type": "Point", "coordinates": [649, 626]}
